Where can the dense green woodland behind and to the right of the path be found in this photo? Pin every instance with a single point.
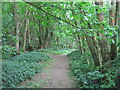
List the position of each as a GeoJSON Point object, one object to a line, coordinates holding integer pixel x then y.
{"type": "Point", "coordinates": [92, 28]}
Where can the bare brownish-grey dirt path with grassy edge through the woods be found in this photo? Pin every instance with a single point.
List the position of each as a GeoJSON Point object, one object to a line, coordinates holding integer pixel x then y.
{"type": "Point", "coordinates": [54, 75]}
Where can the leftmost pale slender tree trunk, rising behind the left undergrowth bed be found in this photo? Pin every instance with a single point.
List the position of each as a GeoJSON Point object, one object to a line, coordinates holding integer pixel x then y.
{"type": "Point", "coordinates": [16, 26]}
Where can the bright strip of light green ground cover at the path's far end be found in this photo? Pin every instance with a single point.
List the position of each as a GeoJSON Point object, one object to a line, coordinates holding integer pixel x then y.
{"type": "Point", "coordinates": [56, 51]}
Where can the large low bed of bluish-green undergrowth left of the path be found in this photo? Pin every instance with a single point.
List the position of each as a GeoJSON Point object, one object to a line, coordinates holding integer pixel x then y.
{"type": "Point", "coordinates": [22, 67]}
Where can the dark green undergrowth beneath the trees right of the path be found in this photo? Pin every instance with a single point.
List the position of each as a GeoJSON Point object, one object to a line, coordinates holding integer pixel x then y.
{"type": "Point", "coordinates": [89, 76]}
